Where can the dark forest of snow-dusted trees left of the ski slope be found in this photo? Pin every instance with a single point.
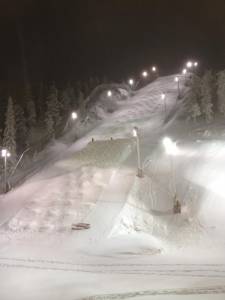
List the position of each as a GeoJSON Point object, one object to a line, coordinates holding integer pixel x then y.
{"type": "Point", "coordinates": [39, 115]}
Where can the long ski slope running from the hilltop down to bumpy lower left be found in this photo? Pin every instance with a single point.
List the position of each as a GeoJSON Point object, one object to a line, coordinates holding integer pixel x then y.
{"type": "Point", "coordinates": [111, 143]}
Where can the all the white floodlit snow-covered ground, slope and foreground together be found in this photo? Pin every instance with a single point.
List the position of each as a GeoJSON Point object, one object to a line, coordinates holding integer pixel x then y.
{"type": "Point", "coordinates": [135, 247]}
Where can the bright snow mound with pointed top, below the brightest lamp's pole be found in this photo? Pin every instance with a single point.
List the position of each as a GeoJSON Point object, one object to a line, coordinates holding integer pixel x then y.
{"type": "Point", "coordinates": [138, 215]}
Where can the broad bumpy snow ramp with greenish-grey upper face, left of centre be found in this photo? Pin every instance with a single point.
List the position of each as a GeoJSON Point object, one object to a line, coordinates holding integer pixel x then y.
{"type": "Point", "coordinates": [71, 190]}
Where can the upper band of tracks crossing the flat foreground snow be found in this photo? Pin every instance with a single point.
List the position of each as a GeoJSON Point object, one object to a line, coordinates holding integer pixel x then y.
{"type": "Point", "coordinates": [172, 270]}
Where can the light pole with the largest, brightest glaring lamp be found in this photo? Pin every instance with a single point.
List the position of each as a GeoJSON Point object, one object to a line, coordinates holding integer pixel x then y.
{"type": "Point", "coordinates": [172, 150]}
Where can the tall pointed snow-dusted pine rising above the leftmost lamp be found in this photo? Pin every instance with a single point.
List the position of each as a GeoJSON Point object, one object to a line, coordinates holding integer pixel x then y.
{"type": "Point", "coordinates": [9, 135]}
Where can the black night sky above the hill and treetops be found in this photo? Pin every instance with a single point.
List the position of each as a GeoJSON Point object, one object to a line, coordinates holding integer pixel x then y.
{"type": "Point", "coordinates": [62, 39]}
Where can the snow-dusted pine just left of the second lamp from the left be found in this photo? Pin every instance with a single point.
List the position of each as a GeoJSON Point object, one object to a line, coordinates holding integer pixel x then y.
{"type": "Point", "coordinates": [54, 106]}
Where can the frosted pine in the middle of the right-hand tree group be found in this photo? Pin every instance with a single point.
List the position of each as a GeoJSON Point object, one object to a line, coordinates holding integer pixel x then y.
{"type": "Point", "coordinates": [206, 96]}
